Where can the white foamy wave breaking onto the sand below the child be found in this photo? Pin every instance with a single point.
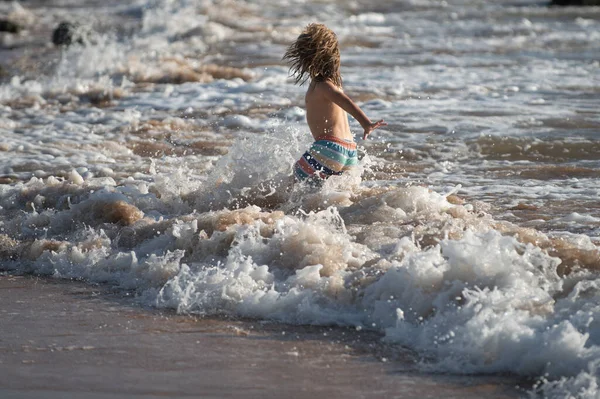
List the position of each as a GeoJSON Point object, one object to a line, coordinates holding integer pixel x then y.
{"type": "Point", "coordinates": [436, 277]}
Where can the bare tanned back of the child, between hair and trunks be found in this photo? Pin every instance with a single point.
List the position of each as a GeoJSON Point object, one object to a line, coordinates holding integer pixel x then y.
{"type": "Point", "coordinates": [324, 117]}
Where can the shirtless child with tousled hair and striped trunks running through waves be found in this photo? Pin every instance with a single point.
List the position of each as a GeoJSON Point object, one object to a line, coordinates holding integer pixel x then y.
{"type": "Point", "coordinates": [315, 55]}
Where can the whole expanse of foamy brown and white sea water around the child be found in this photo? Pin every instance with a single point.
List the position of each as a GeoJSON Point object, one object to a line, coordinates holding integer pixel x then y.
{"type": "Point", "coordinates": [156, 158]}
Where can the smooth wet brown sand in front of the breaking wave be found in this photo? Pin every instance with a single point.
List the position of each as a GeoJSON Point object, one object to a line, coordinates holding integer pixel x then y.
{"type": "Point", "coordinates": [65, 339]}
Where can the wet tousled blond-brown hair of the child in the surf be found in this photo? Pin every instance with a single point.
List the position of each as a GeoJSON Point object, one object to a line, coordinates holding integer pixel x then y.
{"type": "Point", "coordinates": [315, 55]}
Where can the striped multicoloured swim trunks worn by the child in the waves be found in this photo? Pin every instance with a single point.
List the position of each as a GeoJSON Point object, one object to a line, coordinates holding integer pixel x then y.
{"type": "Point", "coordinates": [326, 157]}
